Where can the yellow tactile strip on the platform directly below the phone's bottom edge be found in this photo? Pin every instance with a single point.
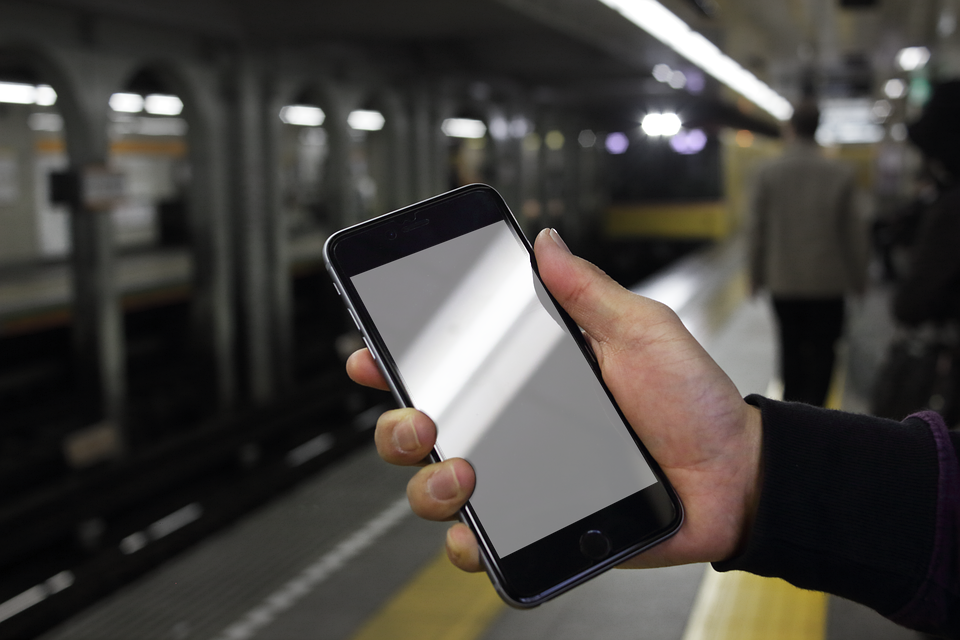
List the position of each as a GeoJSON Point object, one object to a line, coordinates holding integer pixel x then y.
{"type": "Point", "coordinates": [440, 603]}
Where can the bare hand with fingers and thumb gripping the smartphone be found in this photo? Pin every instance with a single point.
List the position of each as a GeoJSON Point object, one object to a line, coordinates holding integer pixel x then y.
{"type": "Point", "coordinates": [685, 409]}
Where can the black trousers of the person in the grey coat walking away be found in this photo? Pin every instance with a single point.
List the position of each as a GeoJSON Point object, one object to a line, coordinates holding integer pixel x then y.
{"type": "Point", "coordinates": [809, 330]}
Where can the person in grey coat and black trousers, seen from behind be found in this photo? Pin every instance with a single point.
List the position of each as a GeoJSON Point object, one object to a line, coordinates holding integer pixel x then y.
{"type": "Point", "coordinates": [806, 248]}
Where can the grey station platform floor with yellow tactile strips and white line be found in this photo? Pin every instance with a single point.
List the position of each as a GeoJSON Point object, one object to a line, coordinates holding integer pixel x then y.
{"type": "Point", "coordinates": [342, 557]}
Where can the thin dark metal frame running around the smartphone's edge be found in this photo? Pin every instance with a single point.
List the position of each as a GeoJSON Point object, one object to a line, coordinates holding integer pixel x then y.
{"type": "Point", "coordinates": [571, 329]}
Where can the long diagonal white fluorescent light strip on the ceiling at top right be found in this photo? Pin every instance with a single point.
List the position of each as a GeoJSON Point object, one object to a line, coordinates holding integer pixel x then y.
{"type": "Point", "coordinates": [662, 24]}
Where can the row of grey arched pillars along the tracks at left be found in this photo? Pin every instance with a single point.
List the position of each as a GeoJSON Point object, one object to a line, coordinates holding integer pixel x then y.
{"type": "Point", "coordinates": [232, 91]}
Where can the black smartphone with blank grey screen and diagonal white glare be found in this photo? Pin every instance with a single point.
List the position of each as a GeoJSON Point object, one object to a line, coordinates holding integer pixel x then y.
{"type": "Point", "coordinates": [447, 296]}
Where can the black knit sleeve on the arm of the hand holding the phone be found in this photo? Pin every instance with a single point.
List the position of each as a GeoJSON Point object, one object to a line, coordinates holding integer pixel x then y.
{"type": "Point", "coordinates": [861, 507]}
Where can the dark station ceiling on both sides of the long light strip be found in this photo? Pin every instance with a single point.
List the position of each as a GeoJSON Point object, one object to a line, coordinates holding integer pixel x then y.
{"type": "Point", "coordinates": [575, 49]}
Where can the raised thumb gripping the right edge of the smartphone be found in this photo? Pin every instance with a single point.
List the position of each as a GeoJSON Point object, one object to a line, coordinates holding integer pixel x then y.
{"type": "Point", "coordinates": [593, 299]}
